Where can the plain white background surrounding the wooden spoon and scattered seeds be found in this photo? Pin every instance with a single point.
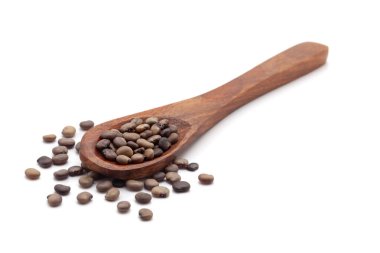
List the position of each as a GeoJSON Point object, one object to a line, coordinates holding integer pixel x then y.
{"type": "Point", "coordinates": [295, 171]}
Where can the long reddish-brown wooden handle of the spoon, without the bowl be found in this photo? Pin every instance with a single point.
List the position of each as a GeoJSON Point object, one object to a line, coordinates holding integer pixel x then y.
{"type": "Point", "coordinates": [208, 109]}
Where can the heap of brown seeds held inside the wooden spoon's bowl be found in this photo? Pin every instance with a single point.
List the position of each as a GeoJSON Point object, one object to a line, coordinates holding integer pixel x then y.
{"type": "Point", "coordinates": [138, 140]}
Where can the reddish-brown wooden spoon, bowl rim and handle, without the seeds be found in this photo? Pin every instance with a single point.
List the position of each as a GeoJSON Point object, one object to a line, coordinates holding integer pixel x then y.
{"type": "Point", "coordinates": [196, 115]}
